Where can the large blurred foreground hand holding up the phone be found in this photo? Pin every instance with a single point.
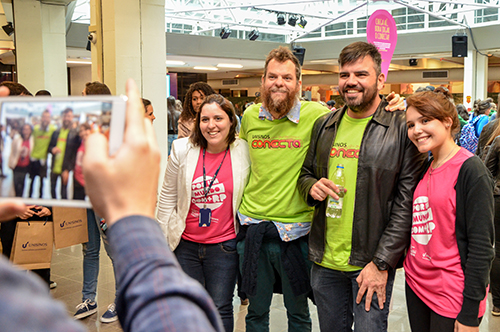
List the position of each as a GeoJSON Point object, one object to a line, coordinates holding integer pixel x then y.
{"type": "Point", "coordinates": [126, 183]}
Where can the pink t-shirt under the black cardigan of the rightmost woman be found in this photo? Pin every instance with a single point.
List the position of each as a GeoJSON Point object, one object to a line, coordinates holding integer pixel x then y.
{"type": "Point", "coordinates": [433, 266]}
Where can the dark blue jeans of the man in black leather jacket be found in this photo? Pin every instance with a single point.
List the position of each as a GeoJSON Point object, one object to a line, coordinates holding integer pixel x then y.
{"type": "Point", "coordinates": [335, 294]}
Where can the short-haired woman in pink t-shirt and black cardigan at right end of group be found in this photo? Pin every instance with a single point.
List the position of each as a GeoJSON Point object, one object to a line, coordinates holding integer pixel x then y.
{"type": "Point", "coordinates": [449, 259]}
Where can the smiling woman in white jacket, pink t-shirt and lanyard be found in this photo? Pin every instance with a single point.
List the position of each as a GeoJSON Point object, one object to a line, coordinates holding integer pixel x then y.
{"type": "Point", "coordinates": [203, 186]}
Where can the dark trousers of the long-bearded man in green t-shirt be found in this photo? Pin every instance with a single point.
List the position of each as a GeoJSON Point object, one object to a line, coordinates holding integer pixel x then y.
{"type": "Point", "coordinates": [269, 267]}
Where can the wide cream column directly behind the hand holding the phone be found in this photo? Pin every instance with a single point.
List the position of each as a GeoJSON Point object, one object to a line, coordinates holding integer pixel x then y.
{"type": "Point", "coordinates": [131, 43]}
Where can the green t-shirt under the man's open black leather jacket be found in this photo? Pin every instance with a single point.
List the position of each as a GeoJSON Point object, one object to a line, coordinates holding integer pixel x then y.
{"type": "Point", "coordinates": [345, 150]}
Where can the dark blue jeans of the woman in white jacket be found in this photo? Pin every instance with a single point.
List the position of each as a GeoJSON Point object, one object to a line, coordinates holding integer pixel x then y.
{"type": "Point", "coordinates": [215, 266]}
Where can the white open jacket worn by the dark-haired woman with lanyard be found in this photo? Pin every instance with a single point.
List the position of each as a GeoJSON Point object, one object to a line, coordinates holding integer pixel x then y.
{"type": "Point", "coordinates": [175, 197]}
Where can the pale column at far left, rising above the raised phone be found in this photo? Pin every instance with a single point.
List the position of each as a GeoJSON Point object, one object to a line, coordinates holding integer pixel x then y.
{"type": "Point", "coordinates": [40, 42]}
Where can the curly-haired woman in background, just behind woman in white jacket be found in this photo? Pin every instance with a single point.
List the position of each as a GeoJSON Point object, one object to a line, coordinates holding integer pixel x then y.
{"type": "Point", "coordinates": [194, 98]}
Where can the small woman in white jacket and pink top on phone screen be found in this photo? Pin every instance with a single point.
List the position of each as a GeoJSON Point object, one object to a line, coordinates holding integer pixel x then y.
{"type": "Point", "coordinates": [19, 160]}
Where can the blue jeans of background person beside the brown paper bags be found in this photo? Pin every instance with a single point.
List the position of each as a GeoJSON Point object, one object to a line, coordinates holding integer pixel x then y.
{"type": "Point", "coordinates": [91, 257]}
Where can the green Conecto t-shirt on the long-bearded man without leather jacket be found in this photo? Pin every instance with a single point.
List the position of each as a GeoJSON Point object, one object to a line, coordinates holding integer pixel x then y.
{"type": "Point", "coordinates": [277, 152]}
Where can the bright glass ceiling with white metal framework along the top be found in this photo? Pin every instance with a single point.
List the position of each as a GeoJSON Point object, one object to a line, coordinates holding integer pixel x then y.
{"type": "Point", "coordinates": [320, 20]}
